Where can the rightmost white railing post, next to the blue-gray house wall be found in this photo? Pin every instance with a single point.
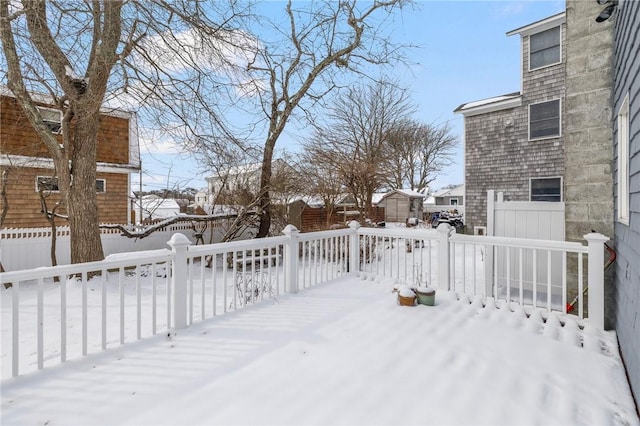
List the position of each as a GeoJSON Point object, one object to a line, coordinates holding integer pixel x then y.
{"type": "Point", "coordinates": [595, 280]}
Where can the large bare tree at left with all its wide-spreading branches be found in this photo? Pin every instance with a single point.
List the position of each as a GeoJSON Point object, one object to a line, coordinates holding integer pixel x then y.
{"type": "Point", "coordinates": [81, 55]}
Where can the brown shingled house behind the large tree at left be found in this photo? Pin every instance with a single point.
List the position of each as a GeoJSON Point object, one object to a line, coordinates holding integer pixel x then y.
{"type": "Point", "coordinates": [28, 165]}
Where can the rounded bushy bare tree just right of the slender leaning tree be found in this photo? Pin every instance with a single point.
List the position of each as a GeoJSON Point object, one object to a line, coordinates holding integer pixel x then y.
{"type": "Point", "coordinates": [354, 139]}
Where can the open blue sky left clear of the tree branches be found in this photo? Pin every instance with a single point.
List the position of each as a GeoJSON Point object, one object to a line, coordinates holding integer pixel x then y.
{"type": "Point", "coordinates": [463, 55]}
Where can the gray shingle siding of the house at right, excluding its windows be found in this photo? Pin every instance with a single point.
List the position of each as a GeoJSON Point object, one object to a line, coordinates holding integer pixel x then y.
{"type": "Point", "coordinates": [498, 152]}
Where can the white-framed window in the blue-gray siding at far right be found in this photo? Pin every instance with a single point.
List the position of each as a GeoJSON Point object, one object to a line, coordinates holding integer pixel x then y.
{"type": "Point", "coordinates": [622, 187]}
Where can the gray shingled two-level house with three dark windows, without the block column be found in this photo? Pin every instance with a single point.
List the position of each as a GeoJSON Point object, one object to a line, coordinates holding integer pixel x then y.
{"type": "Point", "coordinates": [514, 142]}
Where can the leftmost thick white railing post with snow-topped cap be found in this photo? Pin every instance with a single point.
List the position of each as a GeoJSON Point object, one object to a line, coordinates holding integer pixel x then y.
{"type": "Point", "coordinates": [179, 275]}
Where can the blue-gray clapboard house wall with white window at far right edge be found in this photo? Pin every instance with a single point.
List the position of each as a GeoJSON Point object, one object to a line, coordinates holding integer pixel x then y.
{"type": "Point", "coordinates": [626, 112]}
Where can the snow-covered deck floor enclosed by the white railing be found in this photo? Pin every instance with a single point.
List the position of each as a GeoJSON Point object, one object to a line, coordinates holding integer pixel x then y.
{"type": "Point", "coordinates": [341, 353]}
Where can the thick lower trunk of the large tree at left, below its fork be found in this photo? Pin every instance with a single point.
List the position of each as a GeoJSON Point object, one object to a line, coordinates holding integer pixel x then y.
{"type": "Point", "coordinates": [82, 203]}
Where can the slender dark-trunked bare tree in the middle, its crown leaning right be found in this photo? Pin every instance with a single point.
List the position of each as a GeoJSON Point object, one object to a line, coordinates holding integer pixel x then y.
{"type": "Point", "coordinates": [321, 42]}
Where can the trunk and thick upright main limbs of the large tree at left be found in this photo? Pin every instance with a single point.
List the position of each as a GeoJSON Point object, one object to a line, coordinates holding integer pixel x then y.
{"type": "Point", "coordinates": [26, 32]}
